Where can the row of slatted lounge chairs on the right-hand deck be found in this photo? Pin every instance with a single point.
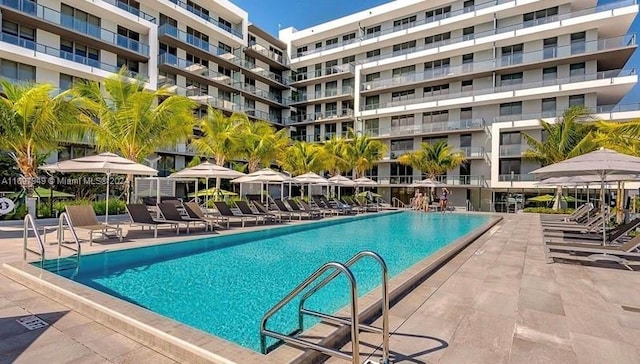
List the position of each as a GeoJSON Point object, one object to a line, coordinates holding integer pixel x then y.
{"type": "Point", "coordinates": [579, 237]}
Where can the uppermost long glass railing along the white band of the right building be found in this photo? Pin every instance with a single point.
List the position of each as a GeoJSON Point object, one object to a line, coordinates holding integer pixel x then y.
{"type": "Point", "coordinates": [511, 28]}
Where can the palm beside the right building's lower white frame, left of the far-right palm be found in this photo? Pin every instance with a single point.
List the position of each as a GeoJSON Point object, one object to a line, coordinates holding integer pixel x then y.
{"type": "Point", "coordinates": [571, 136]}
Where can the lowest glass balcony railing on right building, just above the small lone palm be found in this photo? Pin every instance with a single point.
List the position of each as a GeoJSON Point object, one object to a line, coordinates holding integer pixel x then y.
{"type": "Point", "coordinates": [429, 127]}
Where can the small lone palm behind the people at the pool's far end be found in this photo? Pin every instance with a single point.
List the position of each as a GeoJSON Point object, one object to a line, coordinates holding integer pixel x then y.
{"type": "Point", "coordinates": [433, 159]}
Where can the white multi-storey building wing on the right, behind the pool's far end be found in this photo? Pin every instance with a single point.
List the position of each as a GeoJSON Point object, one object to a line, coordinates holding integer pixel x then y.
{"type": "Point", "coordinates": [475, 73]}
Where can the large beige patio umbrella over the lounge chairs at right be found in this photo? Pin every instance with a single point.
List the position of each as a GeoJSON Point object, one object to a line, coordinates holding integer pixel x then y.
{"type": "Point", "coordinates": [602, 163]}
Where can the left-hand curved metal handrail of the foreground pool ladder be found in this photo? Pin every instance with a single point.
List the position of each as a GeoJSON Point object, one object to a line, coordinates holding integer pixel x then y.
{"type": "Point", "coordinates": [338, 268]}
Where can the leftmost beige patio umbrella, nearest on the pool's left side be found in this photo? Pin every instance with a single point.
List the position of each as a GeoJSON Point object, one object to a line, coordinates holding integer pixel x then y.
{"type": "Point", "coordinates": [107, 163]}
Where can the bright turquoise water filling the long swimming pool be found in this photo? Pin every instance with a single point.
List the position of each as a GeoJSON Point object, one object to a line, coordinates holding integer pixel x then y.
{"type": "Point", "coordinates": [223, 285]}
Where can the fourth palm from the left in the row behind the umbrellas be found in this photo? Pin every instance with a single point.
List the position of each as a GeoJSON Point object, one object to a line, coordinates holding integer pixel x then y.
{"type": "Point", "coordinates": [261, 143]}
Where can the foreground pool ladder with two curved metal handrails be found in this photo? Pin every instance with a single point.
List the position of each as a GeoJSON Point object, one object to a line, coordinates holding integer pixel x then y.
{"type": "Point", "coordinates": [337, 268]}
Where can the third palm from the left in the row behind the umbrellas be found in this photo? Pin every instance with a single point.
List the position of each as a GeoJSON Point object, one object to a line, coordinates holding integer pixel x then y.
{"type": "Point", "coordinates": [221, 135]}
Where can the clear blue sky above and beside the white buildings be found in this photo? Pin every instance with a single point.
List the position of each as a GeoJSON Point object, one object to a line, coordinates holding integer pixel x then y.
{"type": "Point", "coordinates": [268, 14]}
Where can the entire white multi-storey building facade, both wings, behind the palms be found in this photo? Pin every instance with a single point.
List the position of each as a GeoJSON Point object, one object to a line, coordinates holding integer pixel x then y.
{"type": "Point", "coordinates": [475, 73]}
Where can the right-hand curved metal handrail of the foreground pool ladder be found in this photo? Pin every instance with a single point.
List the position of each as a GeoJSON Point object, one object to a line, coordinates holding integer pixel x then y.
{"type": "Point", "coordinates": [385, 302]}
